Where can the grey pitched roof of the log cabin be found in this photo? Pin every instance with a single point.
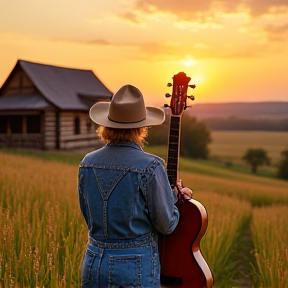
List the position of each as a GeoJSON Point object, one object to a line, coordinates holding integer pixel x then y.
{"type": "Point", "coordinates": [65, 88]}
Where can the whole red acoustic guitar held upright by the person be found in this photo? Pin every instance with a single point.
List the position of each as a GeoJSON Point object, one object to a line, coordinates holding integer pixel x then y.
{"type": "Point", "coordinates": [182, 264]}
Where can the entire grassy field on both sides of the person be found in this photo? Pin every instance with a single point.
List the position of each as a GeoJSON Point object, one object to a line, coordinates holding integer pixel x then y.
{"type": "Point", "coordinates": [43, 235]}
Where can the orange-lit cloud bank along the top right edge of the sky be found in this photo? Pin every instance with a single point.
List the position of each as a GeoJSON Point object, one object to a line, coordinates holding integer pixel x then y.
{"type": "Point", "coordinates": [202, 11]}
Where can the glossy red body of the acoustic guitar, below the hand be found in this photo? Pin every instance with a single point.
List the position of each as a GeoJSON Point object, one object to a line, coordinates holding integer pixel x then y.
{"type": "Point", "coordinates": [180, 255]}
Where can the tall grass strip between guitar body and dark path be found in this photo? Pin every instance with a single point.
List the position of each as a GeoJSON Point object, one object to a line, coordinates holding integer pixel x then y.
{"type": "Point", "coordinates": [226, 219]}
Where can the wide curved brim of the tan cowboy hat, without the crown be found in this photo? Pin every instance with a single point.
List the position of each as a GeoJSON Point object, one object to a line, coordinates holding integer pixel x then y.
{"type": "Point", "coordinates": [99, 114]}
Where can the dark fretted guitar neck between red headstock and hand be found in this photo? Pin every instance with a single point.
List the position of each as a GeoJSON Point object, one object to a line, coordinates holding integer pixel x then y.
{"type": "Point", "coordinates": [173, 149]}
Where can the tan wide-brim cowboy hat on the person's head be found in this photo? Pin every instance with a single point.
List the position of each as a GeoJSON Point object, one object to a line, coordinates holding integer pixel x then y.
{"type": "Point", "coordinates": [126, 110]}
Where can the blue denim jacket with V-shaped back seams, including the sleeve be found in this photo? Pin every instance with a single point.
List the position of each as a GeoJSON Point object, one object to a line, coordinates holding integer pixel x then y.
{"type": "Point", "coordinates": [124, 193]}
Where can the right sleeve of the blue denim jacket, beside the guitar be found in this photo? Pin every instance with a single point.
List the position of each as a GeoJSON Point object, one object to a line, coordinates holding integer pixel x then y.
{"type": "Point", "coordinates": [163, 214]}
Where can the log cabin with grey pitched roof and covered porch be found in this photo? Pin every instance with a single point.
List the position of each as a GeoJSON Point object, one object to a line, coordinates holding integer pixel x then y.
{"type": "Point", "coordinates": [46, 107]}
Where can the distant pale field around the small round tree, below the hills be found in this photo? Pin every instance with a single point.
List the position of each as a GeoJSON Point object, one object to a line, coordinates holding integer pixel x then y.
{"type": "Point", "coordinates": [227, 149]}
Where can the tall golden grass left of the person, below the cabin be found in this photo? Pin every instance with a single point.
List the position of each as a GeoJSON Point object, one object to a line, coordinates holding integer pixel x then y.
{"type": "Point", "coordinates": [42, 232]}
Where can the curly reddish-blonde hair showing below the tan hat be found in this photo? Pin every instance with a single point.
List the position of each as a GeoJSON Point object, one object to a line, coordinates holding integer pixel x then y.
{"type": "Point", "coordinates": [116, 136]}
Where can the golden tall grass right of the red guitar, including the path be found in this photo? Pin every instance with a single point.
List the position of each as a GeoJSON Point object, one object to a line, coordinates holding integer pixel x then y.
{"type": "Point", "coordinates": [242, 196]}
